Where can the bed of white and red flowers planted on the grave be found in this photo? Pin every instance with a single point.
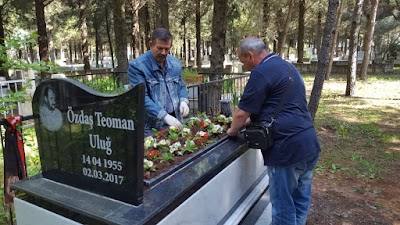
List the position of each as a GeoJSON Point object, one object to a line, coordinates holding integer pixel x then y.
{"type": "Point", "coordinates": [167, 148]}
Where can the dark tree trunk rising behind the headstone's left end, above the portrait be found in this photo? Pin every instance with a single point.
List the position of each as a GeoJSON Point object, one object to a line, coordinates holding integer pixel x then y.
{"type": "Point", "coordinates": [42, 32]}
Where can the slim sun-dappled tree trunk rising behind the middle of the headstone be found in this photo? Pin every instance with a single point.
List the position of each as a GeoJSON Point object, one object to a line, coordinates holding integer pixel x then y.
{"type": "Point", "coordinates": [85, 43]}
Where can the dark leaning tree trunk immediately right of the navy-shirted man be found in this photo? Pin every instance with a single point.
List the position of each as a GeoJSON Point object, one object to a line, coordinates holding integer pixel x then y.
{"type": "Point", "coordinates": [324, 57]}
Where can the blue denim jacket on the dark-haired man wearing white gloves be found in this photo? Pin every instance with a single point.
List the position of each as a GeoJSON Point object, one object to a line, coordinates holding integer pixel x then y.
{"type": "Point", "coordinates": [145, 69]}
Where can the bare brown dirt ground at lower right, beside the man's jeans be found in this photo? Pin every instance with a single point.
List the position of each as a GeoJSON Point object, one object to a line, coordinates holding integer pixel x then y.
{"type": "Point", "coordinates": [340, 198]}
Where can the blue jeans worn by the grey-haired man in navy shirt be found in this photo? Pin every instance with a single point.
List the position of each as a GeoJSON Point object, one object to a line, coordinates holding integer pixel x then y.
{"type": "Point", "coordinates": [290, 191]}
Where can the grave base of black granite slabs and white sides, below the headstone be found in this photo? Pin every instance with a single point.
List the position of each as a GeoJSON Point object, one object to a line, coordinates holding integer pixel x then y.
{"type": "Point", "coordinates": [219, 187]}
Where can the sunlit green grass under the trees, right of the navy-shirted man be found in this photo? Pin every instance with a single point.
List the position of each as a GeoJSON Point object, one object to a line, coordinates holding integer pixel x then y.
{"type": "Point", "coordinates": [359, 135]}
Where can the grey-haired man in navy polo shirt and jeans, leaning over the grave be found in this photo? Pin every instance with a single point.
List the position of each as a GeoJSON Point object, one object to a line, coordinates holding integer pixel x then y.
{"type": "Point", "coordinates": [295, 152]}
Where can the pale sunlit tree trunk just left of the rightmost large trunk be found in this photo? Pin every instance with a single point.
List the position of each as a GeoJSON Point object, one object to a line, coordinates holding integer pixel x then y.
{"type": "Point", "coordinates": [352, 64]}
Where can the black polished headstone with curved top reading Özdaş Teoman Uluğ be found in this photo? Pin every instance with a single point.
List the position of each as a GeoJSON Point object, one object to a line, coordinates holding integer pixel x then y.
{"type": "Point", "coordinates": [90, 140]}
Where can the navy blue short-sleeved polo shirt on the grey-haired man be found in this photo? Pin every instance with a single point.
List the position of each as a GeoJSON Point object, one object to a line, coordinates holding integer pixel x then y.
{"type": "Point", "coordinates": [293, 132]}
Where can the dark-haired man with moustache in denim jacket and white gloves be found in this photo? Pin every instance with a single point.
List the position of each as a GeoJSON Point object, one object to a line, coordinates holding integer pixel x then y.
{"type": "Point", "coordinates": [166, 97]}
